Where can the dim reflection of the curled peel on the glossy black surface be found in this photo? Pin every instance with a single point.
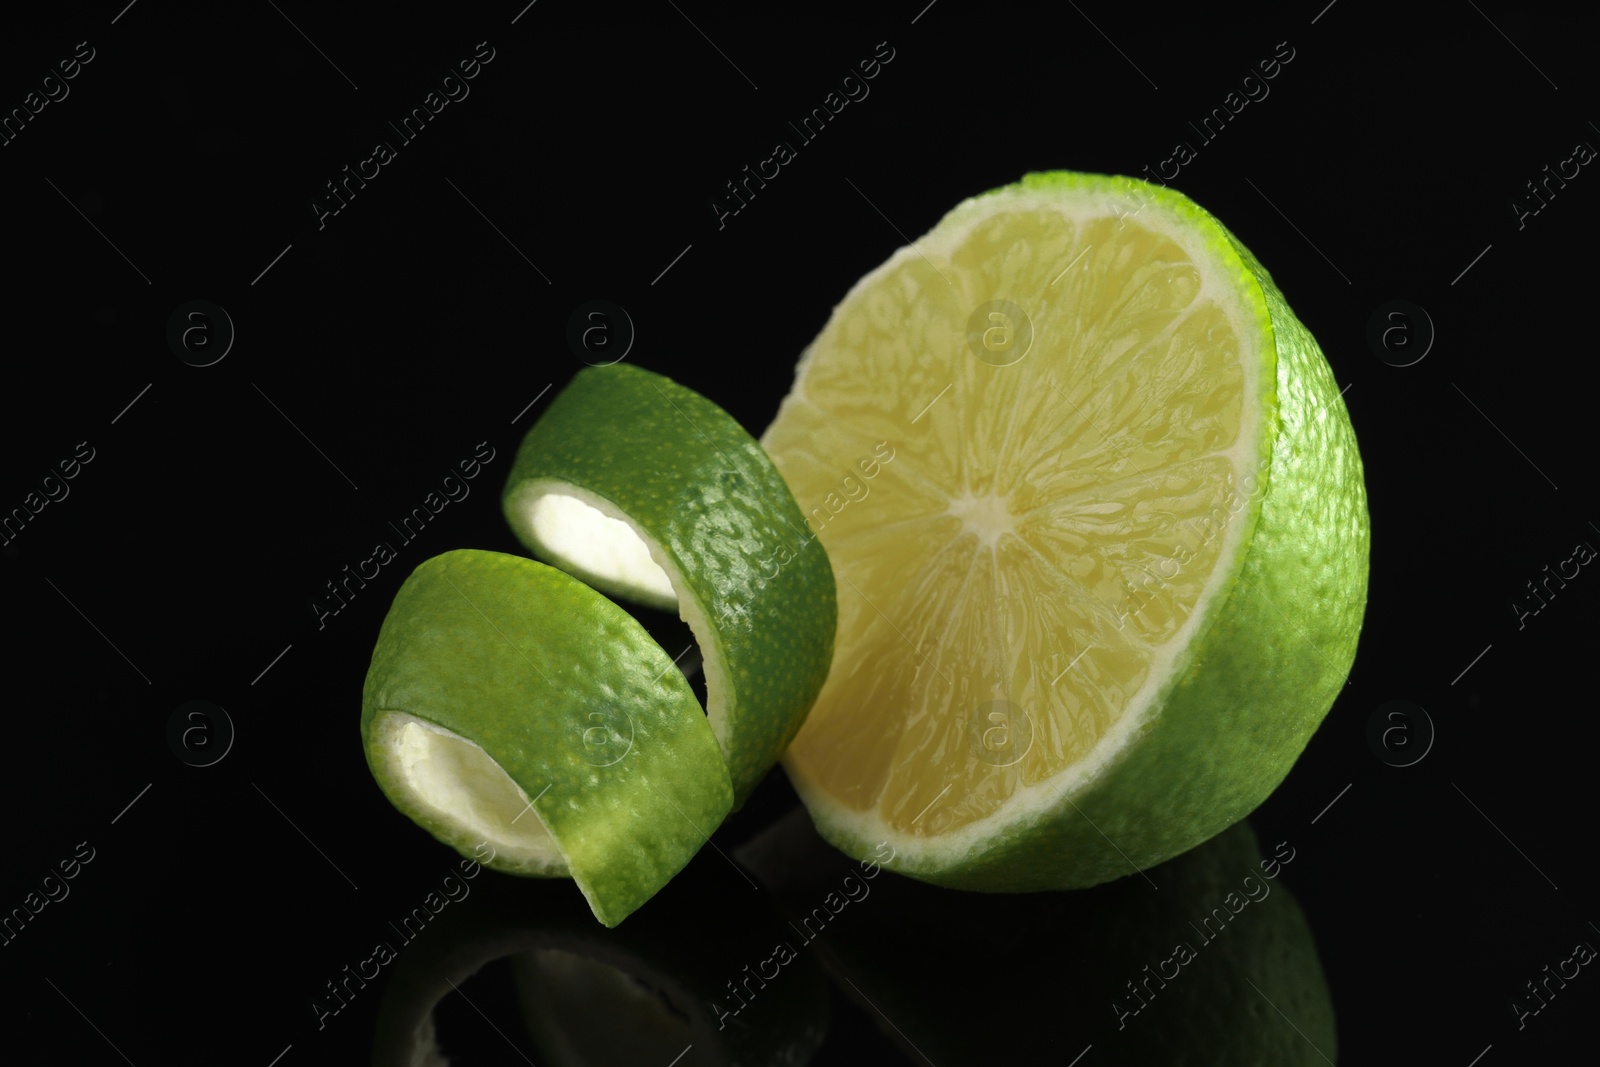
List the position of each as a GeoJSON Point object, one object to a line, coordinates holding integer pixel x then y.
{"type": "Point", "coordinates": [596, 996]}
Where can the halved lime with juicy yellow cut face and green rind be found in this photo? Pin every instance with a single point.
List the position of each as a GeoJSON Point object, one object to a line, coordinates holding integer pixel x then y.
{"type": "Point", "coordinates": [1151, 533]}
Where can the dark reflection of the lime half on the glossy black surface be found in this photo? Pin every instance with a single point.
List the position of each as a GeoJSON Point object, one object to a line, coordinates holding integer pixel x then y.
{"type": "Point", "coordinates": [1252, 993]}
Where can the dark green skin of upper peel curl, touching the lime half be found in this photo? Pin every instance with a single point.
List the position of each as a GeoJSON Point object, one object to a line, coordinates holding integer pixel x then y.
{"type": "Point", "coordinates": [751, 578]}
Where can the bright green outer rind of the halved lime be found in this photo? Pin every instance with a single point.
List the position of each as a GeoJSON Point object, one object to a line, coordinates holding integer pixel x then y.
{"type": "Point", "coordinates": [1263, 669]}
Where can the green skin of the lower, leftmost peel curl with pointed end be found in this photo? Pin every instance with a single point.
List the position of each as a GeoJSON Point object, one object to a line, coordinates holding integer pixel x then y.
{"type": "Point", "coordinates": [575, 703]}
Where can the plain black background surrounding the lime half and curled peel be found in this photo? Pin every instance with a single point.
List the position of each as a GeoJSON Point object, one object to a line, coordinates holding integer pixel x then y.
{"type": "Point", "coordinates": [377, 351]}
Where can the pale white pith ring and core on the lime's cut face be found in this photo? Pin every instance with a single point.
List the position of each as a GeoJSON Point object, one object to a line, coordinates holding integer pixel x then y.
{"type": "Point", "coordinates": [988, 521]}
